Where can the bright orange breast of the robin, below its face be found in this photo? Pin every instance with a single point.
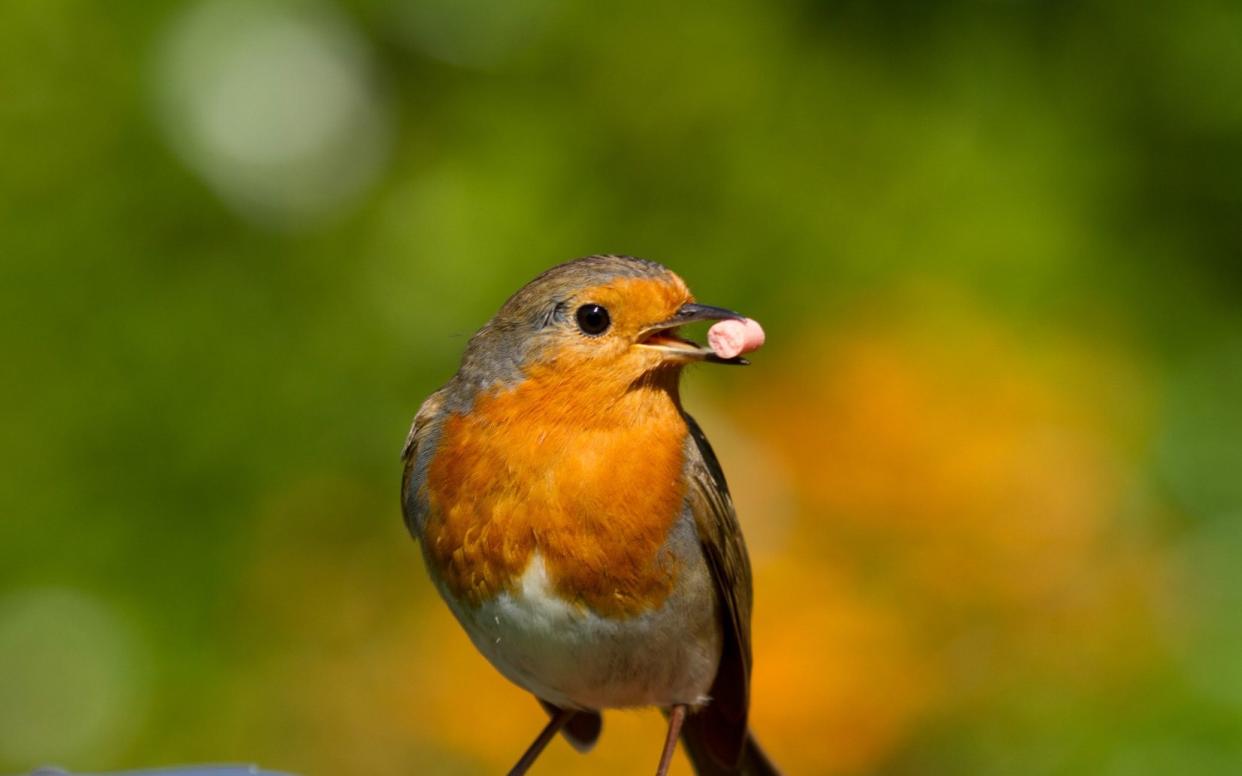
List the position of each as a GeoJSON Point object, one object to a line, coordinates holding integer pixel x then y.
{"type": "Point", "coordinates": [593, 486]}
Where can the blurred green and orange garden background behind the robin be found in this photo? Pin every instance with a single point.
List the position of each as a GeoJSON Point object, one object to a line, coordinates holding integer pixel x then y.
{"type": "Point", "coordinates": [989, 464]}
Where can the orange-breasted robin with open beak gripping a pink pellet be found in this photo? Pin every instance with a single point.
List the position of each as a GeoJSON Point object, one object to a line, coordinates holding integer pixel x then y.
{"type": "Point", "coordinates": [576, 520]}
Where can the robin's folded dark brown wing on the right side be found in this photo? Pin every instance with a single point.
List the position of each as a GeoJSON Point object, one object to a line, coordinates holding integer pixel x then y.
{"type": "Point", "coordinates": [722, 726]}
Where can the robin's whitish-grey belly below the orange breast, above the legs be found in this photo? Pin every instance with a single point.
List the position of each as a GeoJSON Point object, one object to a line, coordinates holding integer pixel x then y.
{"type": "Point", "coordinates": [572, 657]}
